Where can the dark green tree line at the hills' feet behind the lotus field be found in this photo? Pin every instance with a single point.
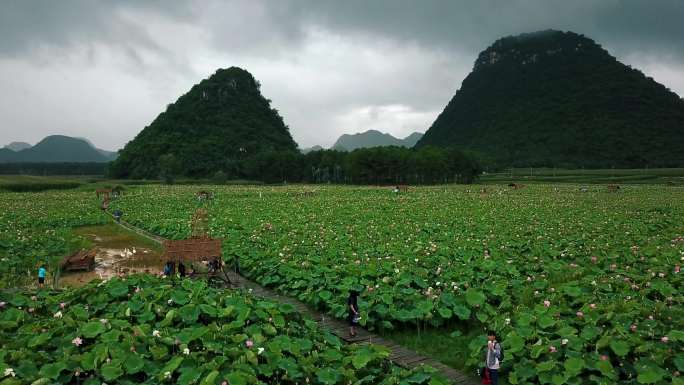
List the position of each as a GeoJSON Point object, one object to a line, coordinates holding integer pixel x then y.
{"type": "Point", "coordinates": [377, 165]}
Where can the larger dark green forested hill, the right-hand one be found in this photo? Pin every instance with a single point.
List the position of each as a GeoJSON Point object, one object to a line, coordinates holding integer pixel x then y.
{"type": "Point", "coordinates": [559, 99]}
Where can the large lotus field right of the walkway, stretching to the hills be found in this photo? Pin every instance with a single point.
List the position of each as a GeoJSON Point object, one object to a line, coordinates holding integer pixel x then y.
{"type": "Point", "coordinates": [583, 288]}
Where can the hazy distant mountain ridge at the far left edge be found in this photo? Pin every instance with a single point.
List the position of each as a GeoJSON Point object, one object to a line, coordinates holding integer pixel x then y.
{"type": "Point", "coordinates": [55, 148]}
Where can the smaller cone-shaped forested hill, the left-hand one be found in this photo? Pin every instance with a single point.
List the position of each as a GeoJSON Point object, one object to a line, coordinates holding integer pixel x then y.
{"type": "Point", "coordinates": [218, 124]}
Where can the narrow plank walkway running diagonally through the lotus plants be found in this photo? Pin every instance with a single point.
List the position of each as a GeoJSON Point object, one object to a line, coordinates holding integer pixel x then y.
{"type": "Point", "coordinates": [398, 354]}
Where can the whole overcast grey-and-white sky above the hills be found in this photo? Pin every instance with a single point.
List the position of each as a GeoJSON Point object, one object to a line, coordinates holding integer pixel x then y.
{"type": "Point", "coordinates": [105, 69]}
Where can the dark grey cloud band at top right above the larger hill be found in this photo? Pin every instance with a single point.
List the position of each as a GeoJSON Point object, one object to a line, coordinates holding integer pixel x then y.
{"type": "Point", "coordinates": [625, 25]}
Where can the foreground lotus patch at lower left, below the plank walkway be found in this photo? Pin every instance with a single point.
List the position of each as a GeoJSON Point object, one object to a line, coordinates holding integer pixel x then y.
{"type": "Point", "coordinates": [148, 330]}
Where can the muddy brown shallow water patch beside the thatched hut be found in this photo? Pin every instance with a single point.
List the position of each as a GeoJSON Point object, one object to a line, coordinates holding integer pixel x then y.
{"type": "Point", "coordinates": [118, 252]}
